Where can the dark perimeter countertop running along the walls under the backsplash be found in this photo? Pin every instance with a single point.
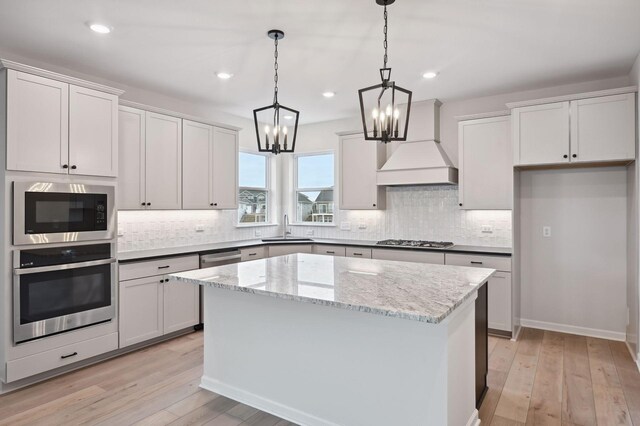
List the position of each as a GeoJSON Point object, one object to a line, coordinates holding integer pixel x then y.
{"type": "Point", "coordinates": [230, 245]}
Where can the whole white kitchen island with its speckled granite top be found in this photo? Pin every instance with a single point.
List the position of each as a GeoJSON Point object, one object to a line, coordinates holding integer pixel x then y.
{"type": "Point", "coordinates": [323, 340]}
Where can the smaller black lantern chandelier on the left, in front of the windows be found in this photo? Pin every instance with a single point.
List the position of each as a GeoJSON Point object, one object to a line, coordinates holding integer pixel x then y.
{"type": "Point", "coordinates": [276, 123]}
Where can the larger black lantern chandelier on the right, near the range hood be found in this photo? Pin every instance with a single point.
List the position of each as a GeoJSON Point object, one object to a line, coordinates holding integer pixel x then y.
{"type": "Point", "coordinates": [385, 107]}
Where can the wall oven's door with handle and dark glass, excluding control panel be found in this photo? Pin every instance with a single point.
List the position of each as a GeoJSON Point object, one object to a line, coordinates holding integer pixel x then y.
{"type": "Point", "coordinates": [53, 299]}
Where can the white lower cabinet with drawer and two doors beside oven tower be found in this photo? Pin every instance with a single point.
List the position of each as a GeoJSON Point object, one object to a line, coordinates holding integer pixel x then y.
{"type": "Point", "coordinates": [153, 306]}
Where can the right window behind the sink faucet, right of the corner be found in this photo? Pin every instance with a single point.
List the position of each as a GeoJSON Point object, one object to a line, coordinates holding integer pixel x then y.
{"type": "Point", "coordinates": [314, 188]}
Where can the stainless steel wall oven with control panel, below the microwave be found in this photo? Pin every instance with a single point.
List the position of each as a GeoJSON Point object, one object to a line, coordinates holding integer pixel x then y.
{"type": "Point", "coordinates": [62, 288]}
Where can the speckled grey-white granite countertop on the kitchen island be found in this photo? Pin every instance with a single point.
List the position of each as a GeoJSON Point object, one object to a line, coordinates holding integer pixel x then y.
{"type": "Point", "coordinates": [415, 291]}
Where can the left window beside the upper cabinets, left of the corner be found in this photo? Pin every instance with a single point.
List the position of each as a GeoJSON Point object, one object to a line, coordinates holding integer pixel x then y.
{"type": "Point", "coordinates": [253, 197]}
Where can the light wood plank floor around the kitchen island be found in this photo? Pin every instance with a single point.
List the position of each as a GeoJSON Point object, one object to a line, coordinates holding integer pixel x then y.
{"type": "Point", "coordinates": [545, 378]}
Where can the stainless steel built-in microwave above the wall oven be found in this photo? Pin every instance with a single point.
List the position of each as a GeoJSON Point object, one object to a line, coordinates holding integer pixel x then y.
{"type": "Point", "coordinates": [46, 212]}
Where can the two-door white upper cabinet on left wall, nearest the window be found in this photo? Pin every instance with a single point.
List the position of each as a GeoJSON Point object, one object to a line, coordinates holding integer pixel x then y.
{"type": "Point", "coordinates": [210, 167]}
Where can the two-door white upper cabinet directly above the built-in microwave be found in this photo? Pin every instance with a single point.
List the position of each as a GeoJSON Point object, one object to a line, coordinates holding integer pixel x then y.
{"type": "Point", "coordinates": [57, 127]}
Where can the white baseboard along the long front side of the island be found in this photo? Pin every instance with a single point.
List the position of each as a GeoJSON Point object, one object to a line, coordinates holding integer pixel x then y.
{"type": "Point", "coordinates": [263, 404]}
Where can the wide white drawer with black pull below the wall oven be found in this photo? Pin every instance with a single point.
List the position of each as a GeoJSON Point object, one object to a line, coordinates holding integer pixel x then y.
{"type": "Point", "coordinates": [59, 357]}
